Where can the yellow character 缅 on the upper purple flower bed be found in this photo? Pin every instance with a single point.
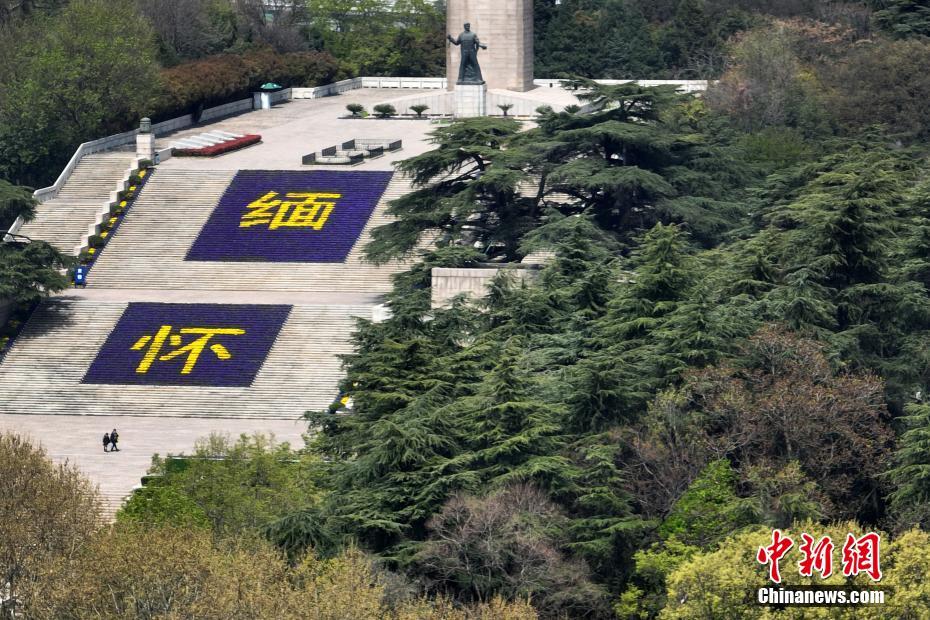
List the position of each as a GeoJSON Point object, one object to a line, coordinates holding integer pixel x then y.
{"type": "Point", "coordinates": [301, 210]}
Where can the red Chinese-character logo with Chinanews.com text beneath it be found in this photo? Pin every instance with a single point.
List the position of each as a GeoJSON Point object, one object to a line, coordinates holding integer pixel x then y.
{"type": "Point", "coordinates": [858, 556]}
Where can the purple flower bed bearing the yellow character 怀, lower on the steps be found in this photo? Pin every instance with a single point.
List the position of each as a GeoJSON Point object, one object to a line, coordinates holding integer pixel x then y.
{"type": "Point", "coordinates": [221, 345]}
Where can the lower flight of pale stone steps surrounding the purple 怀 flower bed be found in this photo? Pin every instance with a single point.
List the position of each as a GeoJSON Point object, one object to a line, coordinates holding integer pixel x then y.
{"type": "Point", "coordinates": [42, 373]}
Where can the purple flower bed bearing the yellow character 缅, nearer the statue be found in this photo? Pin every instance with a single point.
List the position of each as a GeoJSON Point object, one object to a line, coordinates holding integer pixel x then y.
{"type": "Point", "coordinates": [289, 216]}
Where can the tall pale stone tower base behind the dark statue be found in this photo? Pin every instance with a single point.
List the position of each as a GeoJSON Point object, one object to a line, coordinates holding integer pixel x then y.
{"type": "Point", "coordinates": [506, 27]}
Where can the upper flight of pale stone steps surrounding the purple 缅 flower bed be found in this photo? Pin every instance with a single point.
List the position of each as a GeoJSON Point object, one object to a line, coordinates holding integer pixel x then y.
{"type": "Point", "coordinates": [150, 246]}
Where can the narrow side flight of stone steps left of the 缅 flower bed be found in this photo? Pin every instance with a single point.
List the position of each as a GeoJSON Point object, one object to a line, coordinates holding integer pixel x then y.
{"type": "Point", "coordinates": [63, 220]}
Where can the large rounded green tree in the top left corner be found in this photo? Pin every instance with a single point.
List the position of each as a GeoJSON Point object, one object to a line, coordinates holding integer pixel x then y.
{"type": "Point", "coordinates": [55, 95]}
